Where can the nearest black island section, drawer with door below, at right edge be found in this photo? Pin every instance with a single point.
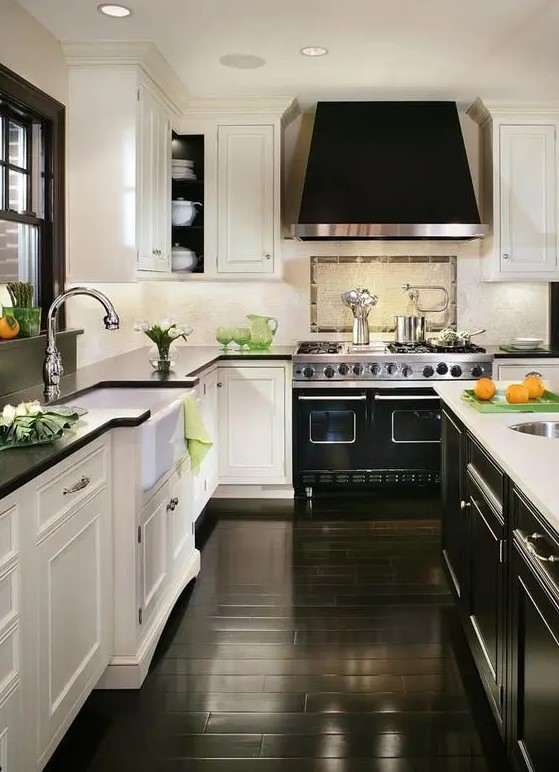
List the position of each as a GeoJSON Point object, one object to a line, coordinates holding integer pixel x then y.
{"type": "Point", "coordinates": [534, 651]}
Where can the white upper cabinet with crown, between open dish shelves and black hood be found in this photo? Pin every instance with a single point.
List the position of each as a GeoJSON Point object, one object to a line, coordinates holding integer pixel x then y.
{"type": "Point", "coordinates": [242, 191]}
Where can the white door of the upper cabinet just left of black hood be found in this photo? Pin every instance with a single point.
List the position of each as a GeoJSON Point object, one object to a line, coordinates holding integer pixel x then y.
{"type": "Point", "coordinates": [246, 211]}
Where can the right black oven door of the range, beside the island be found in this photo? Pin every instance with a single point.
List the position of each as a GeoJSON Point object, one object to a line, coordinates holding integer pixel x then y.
{"type": "Point", "coordinates": [407, 435]}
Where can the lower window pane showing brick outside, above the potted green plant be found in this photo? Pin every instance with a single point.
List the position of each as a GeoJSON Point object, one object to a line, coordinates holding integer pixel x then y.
{"type": "Point", "coordinates": [18, 253]}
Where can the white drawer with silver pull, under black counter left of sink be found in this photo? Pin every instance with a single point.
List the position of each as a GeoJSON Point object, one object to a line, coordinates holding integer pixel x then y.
{"type": "Point", "coordinates": [73, 481]}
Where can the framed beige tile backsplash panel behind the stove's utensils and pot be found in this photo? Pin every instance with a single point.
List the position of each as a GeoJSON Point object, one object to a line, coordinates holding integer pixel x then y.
{"type": "Point", "coordinates": [382, 276]}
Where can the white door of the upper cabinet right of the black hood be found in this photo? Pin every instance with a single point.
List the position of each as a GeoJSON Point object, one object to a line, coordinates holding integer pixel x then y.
{"type": "Point", "coordinates": [528, 206]}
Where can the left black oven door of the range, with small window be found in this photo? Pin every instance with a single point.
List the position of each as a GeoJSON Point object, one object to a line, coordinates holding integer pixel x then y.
{"type": "Point", "coordinates": [331, 434]}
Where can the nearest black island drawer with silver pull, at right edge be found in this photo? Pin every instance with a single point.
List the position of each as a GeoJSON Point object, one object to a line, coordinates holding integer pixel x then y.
{"type": "Point", "coordinates": [537, 539]}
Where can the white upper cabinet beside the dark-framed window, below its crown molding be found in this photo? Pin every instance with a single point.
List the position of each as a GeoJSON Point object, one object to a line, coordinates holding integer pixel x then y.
{"type": "Point", "coordinates": [119, 175]}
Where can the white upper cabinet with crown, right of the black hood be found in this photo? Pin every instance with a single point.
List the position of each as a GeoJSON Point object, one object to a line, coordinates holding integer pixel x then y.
{"type": "Point", "coordinates": [518, 198]}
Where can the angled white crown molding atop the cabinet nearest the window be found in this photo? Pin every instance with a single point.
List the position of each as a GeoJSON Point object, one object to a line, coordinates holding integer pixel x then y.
{"type": "Point", "coordinates": [142, 54]}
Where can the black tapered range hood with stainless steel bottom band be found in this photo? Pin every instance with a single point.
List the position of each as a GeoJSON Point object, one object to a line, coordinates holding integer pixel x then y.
{"type": "Point", "coordinates": [387, 170]}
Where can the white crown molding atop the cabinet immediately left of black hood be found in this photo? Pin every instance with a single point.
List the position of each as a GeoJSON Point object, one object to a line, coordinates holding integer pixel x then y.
{"type": "Point", "coordinates": [285, 108]}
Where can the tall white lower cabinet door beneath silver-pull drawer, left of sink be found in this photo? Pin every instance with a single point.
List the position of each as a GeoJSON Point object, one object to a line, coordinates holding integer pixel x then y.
{"type": "Point", "coordinates": [75, 615]}
